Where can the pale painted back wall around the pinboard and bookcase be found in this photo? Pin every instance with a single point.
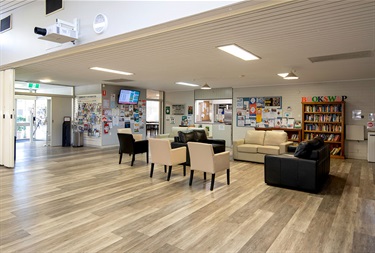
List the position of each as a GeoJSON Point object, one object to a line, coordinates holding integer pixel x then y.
{"type": "Point", "coordinates": [361, 96]}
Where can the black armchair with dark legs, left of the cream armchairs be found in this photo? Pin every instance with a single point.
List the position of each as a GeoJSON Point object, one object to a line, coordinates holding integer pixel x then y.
{"type": "Point", "coordinates": [130, 146]}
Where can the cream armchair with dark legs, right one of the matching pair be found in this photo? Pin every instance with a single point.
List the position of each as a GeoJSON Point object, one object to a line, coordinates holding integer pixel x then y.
{"type": "Point", "coordinates": [202, 158]}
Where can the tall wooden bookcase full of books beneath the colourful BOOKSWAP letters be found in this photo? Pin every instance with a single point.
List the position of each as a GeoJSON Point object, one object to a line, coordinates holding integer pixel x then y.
{"type": "Point", "coordinates": [326, 119]}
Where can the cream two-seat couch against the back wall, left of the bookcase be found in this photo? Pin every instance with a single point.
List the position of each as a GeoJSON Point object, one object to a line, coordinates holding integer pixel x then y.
{"type": "Point", "coordinates": [257, 144]}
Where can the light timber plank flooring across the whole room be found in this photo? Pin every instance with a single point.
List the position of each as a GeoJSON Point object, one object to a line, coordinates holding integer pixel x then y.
{"type": "Point", "coordinates": [65, 199]}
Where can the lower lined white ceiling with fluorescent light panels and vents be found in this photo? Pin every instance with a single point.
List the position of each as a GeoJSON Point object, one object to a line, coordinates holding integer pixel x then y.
{"type": "Point", "coordinates": [283, 35]}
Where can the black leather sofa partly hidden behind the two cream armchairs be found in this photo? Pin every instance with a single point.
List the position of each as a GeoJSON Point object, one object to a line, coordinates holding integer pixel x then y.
{"type": "Point", "coordinates": [197, 136]}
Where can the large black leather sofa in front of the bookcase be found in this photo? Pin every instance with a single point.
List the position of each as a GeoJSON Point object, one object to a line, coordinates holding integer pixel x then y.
{"type": "Point", "coordinates": [307, 174]}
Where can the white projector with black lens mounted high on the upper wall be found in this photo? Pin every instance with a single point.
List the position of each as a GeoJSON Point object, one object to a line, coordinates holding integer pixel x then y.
{"type": "Point", "coordinates": [61, 32]}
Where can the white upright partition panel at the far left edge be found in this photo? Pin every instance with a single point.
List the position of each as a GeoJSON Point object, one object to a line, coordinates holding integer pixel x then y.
{"type": "Point", "coordinates": [8, 120]}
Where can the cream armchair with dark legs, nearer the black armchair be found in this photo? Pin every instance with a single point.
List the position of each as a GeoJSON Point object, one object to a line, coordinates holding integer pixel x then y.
{"type": "Point", "coordinates": [162, 153]}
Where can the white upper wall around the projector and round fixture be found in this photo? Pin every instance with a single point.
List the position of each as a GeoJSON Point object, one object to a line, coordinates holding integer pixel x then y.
{"type": "Point", "coordinates": [21, 43]}
